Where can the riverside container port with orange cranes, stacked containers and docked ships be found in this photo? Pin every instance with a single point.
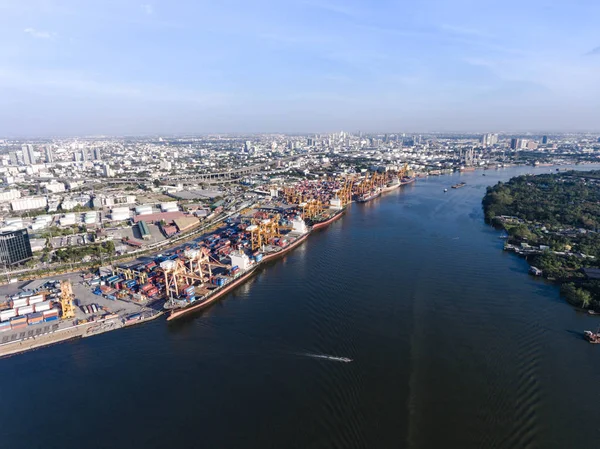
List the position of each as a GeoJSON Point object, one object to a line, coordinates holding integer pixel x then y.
{"type": "Point", "coordinates": [184, 279]}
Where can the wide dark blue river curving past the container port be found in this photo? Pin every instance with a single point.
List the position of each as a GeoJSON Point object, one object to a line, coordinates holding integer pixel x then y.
{"type": "Point", "coordinates": [453, 345]}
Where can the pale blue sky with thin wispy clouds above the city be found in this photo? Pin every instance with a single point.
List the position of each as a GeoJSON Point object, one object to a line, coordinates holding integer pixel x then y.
{"type": "Point", "coordinates": [121, 67]}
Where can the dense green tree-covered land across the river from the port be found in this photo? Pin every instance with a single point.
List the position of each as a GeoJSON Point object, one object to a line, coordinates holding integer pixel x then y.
{"type": "Point", "coordinates": [553, 220]}
